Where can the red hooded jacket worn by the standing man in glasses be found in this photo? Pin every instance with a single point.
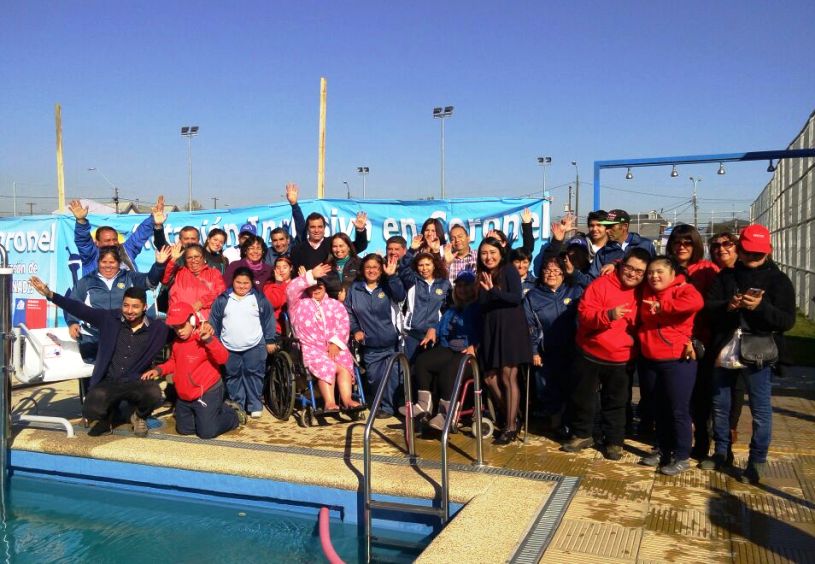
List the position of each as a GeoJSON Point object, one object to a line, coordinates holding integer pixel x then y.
{"type": "Point", "coordinates": [597, 335]}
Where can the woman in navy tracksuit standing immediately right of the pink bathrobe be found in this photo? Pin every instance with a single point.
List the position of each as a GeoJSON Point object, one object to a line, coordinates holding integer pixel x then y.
{"type": "Point", "coordinates": [373, 307]}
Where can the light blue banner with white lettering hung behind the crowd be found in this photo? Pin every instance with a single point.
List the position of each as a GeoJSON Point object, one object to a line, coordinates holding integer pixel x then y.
{"type": "Point", "coordinates": [44, 245]}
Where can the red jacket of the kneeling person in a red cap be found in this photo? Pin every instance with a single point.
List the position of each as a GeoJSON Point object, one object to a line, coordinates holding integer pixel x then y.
{"type": "Point", "coordinates": [195, 365]}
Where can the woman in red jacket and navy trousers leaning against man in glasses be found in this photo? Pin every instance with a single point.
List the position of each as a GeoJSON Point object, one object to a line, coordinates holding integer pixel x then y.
{"type": "Point", "coordinates": [669, 306]}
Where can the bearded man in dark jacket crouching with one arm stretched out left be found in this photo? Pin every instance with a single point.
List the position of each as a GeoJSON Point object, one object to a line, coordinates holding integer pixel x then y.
{"type": "Point", "coordinates": [128, 343]}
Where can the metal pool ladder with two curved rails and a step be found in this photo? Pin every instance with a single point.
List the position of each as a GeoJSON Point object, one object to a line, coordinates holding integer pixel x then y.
{"type": "Point", "coordinates": [443, 510]}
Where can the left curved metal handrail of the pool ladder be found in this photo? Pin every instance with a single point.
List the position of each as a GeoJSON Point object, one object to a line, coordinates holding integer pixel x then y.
{"type": "Point", "coordinates": [410, 436]}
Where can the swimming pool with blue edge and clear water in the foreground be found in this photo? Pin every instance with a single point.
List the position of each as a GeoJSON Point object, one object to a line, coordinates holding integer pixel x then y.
{"type": "Point", "coordinates": [69, 509]}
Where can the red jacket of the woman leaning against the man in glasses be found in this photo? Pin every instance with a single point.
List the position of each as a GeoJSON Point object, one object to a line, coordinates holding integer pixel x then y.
{"type": "Point", "coordinates": [664, 332]}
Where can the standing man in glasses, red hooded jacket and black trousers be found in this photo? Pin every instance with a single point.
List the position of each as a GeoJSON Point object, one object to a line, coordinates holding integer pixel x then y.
{"type": "Point", "coordinates": [606, 328]}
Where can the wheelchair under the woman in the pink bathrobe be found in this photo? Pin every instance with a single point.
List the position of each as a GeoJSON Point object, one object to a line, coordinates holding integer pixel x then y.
{"type": "Point", "coordinates": [290, 389]}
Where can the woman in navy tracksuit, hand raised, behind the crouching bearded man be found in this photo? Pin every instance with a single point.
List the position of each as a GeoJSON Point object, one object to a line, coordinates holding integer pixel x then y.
{"type": "Point", "coordinates": [104, 288]}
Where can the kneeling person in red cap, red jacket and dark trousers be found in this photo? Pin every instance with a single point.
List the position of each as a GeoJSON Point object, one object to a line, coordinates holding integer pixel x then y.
{"type": "Point", "coordinates": [195, 363]}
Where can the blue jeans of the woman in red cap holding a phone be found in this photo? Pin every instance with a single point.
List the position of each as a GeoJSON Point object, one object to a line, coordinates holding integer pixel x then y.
{"type": "Point", "coordinates": [758, 386]}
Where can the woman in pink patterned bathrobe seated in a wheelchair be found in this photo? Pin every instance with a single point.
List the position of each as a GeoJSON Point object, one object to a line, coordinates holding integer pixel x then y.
{"type": "Point", "coordinates": [321, 325]}
